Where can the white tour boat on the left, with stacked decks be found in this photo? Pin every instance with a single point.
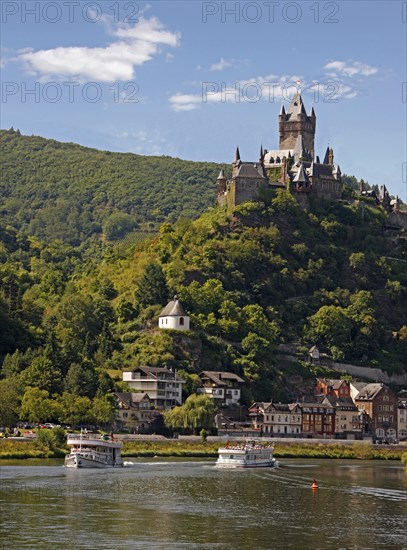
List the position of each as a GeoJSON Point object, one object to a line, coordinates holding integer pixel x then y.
{"type": "Point", "coordinates": [93, 451]}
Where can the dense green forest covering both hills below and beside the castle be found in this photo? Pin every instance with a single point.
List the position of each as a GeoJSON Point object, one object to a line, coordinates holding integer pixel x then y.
{"type": "Point", "coordinates": [86, 267]}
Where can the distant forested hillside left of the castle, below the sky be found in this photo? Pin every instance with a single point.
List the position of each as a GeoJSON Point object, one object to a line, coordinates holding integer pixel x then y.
{"type": "Point", "coordinates": [65, 191]}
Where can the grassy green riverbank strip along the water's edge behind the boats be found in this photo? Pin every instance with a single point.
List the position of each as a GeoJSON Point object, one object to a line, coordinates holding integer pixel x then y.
{"type": "Point", "coordinates": [19, 449]}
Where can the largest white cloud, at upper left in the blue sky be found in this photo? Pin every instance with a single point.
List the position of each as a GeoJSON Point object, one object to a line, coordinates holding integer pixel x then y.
{"type": "Point", "coordinates": [137, 44]}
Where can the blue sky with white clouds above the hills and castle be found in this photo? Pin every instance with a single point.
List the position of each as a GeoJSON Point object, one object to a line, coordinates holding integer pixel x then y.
{"type": "Point", "coordinates": [195, 79]}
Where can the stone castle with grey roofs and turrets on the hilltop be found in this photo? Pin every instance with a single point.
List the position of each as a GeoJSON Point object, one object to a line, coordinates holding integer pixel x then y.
{"type": "Point", "coordinates": [293, 166]}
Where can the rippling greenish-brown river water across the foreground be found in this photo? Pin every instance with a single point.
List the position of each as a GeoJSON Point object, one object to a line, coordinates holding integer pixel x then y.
{"type": "Point", "coordinates": [188, 504]}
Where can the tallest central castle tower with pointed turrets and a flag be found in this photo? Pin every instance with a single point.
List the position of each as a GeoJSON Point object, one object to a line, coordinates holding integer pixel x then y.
{"type": "Point", "coordinates": [296, 122]}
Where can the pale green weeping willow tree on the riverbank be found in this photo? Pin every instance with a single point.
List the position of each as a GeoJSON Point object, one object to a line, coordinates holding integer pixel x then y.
{"type": "Point", "coordinates": [198, 412]}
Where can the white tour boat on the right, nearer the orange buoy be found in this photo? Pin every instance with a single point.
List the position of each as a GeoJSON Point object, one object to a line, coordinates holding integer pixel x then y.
{"type": "Point", "coordinates": [246, 455]}
